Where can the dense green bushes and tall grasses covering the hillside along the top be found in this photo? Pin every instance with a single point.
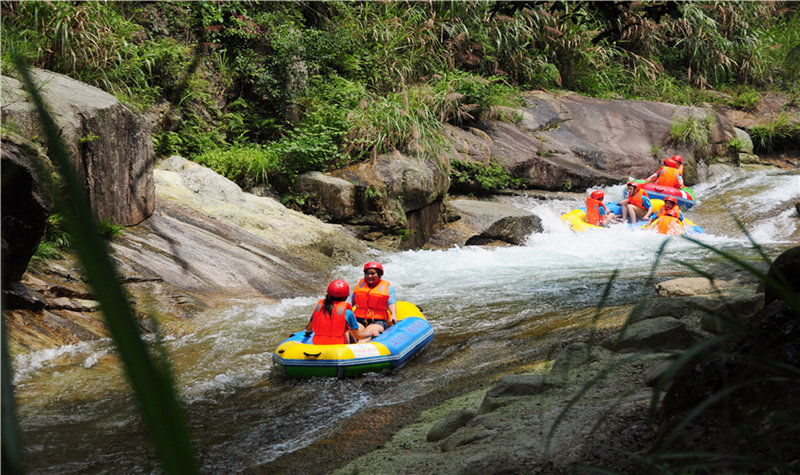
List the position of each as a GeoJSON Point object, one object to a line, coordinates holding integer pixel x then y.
{"type": "Point", "coordinates": [264, 89]}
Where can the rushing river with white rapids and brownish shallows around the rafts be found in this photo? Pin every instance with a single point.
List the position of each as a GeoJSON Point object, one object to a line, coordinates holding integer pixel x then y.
{"type": "Point", "coordinates": [494, 310]}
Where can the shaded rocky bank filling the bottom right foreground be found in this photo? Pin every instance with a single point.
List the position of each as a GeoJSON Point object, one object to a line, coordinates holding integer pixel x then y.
{"type": "Point", "coordinates": [598, 404]}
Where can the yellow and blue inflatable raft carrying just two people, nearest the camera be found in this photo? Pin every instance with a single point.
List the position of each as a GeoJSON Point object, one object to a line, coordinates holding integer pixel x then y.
{"type": "Point", "coordinates": [299, 358]}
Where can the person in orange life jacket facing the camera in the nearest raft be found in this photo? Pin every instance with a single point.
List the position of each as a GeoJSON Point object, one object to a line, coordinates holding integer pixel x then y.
{"type": "Point", "coordinates": [375, 299]}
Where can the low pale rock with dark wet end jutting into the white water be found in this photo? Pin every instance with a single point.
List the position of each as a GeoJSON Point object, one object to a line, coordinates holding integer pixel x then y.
{"type": "Point", "coordinates": [485, 222]}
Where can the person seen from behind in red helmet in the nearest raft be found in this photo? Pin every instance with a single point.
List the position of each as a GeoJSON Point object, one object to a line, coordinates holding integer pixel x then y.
{"type": "Point", "coordinates": [333, 320]}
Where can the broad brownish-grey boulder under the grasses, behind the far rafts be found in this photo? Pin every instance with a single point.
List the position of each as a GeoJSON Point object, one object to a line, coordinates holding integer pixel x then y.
{"type": "Point", "coordinates": [569, 141]}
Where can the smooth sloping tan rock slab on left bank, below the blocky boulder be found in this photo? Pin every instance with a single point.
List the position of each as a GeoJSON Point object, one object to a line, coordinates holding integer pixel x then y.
{"type": "Point", "coordinates": [207, 242]}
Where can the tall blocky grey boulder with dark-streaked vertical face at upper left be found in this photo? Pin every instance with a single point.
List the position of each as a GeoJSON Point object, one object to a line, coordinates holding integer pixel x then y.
{"type": "Point", "coordinates": [110, 147]}
